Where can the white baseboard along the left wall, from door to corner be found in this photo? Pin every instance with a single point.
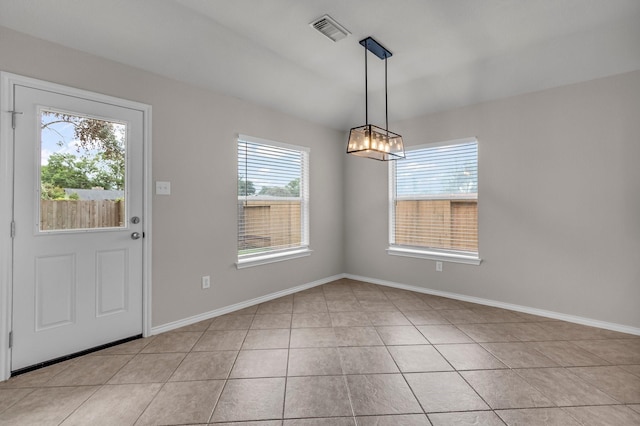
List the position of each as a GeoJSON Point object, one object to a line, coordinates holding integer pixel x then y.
{"type": "Point", "coordinates": [241, 305]}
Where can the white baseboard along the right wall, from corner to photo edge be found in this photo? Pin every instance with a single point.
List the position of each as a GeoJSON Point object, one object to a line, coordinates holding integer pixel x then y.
{"type": "Point", "coordinates": [519, 308]}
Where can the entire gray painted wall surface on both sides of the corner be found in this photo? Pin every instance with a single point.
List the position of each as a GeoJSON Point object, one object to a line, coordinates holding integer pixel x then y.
{"type": "Point", "coordinates": [559, 206]}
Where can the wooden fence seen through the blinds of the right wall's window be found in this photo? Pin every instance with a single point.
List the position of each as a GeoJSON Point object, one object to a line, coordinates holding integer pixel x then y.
{"type": "Point", "coordinates": [445, 224]}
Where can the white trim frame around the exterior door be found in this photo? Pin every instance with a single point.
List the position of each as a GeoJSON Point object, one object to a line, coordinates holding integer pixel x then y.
{"type": "Point", "coordinates": [7, 81]}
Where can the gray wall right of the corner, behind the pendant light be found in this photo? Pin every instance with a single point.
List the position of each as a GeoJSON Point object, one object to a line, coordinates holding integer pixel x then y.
{"type": "Point", "coordinates": [559, 202]}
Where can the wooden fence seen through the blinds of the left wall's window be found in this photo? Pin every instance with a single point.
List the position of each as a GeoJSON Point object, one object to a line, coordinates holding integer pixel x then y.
{"type": "Point", "coordinates": [269, 223]}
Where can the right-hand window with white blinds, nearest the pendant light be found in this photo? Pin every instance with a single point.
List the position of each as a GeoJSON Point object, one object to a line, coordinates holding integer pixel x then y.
{"type": "Point", "coordinates": [434, 202]}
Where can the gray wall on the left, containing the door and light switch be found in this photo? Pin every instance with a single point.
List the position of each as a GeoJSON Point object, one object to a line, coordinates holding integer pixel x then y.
{"type": "Point", "coordinates": [194, 134]}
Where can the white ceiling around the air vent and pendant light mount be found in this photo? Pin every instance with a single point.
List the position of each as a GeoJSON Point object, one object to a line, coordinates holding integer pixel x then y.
{"type": "Point", "coordinates": [446, 53]}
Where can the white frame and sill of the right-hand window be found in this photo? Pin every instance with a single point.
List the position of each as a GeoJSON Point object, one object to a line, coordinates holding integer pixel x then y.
{"type": "Point", "coordinates": [431, 253]}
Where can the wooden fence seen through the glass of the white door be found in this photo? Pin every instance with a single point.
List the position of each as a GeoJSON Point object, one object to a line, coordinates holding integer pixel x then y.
{"type": "Point", "coordinates": [80, 214]}
